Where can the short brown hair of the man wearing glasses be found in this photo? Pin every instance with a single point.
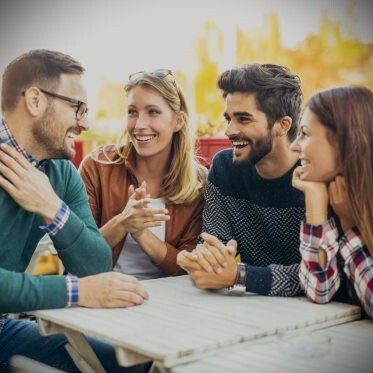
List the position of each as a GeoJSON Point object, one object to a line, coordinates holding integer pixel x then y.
{"type": "Point", "coordinates": [39, 67]}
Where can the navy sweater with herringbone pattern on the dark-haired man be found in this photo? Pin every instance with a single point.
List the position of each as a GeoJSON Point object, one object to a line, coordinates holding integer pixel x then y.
{"type": "Point", "coordinates": [263, 216]}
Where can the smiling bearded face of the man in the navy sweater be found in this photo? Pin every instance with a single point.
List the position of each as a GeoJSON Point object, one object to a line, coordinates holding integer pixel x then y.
{"type": "Point", "coordinates": [247, 129]}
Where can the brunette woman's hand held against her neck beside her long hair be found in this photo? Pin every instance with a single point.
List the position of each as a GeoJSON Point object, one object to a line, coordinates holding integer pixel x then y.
{"type": "Point", "coordinates": [340, 203]}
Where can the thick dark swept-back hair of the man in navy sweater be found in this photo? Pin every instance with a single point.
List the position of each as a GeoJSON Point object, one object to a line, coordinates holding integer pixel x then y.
{"type": "Point", "coordinates": [278, 91]}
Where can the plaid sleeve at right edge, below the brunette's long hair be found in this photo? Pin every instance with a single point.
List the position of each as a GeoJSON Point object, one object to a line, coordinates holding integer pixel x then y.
{"type": "Point", "coordinates": [358, 267]}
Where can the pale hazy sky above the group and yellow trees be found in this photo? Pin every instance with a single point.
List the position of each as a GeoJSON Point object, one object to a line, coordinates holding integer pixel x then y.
{"type": "Point", "coordinates": [114, 38]}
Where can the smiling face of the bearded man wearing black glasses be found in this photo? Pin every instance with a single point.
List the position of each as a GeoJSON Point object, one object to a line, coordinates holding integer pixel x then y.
{"type": "Point", "coordinates": [58, 128]}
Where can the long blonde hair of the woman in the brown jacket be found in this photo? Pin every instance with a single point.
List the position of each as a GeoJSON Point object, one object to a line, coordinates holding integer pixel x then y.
{"type": "Point", "coordinates": [182, 183]}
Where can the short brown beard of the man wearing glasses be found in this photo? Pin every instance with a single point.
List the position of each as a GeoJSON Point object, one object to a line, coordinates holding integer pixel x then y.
{"type": "Point", "coordinates": [45, 137]}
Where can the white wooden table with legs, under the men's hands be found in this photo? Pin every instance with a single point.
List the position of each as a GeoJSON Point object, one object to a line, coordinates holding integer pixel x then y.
{"type": "Point", "coordinates": [181, 323]}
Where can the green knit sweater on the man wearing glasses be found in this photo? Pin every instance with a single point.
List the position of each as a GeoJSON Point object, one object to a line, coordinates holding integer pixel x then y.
{"type": "Point", "coordinates": [79, 244]}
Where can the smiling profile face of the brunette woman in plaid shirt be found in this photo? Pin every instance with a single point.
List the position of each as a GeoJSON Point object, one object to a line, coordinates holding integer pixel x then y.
{"type": "Point", "coordinates": [319, 158]}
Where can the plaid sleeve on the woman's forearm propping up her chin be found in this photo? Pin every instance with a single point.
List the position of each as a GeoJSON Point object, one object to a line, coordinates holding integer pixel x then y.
{"type": "Point", "coordinates": [319, 284]}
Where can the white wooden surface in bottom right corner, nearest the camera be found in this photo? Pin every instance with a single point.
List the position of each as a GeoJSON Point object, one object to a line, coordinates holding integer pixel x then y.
{"type": "Point", "coordinates": [342, 348]}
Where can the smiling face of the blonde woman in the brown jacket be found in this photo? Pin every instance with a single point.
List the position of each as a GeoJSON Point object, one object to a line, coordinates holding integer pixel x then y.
{"type": "Point", "coordinates": [151, 123]}
